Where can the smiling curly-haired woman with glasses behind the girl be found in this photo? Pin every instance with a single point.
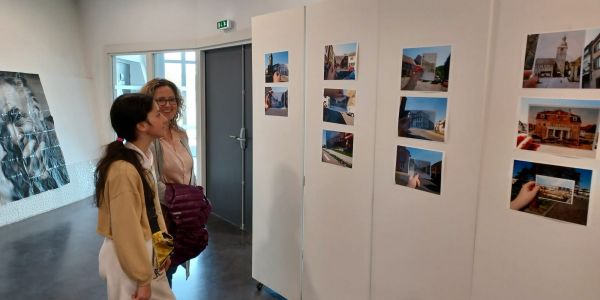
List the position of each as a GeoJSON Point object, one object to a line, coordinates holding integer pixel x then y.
{"type": "Point", "coordinates": [173, 162]}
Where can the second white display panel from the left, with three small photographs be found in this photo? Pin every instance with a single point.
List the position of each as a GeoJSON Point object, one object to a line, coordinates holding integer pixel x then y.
{"type": "Point", "coordinates": [338, 199]}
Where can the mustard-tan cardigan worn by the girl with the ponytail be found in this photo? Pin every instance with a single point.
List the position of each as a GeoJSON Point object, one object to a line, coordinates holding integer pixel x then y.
{"type": "Point", "coordinates": [122, 217]}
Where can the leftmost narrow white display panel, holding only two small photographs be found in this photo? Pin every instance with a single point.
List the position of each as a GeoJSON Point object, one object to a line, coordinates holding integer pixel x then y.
{"type": "Point", "coordinates": [278, 156]}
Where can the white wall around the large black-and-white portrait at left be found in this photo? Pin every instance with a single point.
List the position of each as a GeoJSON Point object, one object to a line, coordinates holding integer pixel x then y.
{"type": "Point", "coordinates": [44, 37]}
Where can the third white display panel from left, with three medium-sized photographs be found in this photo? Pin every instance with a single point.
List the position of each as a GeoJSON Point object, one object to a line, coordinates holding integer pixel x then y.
{"type": "Point", "coordinates": [423, 242]}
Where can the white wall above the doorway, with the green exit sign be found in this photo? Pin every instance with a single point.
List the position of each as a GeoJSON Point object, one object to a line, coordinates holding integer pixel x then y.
{"type": "Point", "coordinates": [144, 25]}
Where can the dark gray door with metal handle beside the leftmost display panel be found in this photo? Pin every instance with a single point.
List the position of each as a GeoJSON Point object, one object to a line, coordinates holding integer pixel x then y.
{"type": "Point", "coordinates": [228, 83]}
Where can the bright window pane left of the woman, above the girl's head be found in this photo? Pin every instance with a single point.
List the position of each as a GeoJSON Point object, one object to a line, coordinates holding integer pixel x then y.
{"type": "Point", "coordinates": [129, 73]}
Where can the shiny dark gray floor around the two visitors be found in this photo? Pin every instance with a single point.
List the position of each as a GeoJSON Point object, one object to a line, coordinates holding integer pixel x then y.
{"type": "Point", "coordinates": [55, 256]}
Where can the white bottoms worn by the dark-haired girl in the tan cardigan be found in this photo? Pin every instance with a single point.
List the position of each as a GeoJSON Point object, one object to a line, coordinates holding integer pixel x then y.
{"type": "Point", "coordinates": [119, 285]}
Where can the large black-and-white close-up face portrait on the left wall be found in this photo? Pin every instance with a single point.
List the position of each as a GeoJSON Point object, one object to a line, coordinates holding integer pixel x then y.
{"type": "Point", "coordinates": [30, 157]}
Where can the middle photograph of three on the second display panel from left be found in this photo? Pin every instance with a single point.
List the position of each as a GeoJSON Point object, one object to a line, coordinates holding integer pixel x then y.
{"type": "Point", "coordinates": [339, 106]}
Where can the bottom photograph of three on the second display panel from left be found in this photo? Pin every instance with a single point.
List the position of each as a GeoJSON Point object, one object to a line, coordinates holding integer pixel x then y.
{"type": "Point", "coordinates": [337, 148]}
